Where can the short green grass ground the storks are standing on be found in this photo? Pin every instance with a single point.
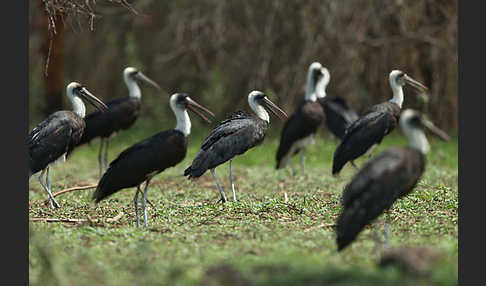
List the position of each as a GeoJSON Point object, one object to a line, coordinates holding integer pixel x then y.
{"type": "Point", "coordinates": [261, 240]}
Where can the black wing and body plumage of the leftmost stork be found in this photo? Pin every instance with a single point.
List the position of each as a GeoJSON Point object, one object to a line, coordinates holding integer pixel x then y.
{"type": "Point", "coordinates": [52, 138]}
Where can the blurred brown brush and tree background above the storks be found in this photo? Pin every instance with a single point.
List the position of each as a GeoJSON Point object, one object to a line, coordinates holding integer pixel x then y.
{"type": "Point", "coordinates": [218, 51]}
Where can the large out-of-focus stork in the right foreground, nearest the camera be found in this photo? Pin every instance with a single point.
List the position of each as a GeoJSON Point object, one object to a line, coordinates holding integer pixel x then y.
{"type": "Point", "coordinates": [389, 176]}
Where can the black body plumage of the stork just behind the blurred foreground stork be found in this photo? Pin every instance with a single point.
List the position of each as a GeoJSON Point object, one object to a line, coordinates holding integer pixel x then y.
{"type": "Point", "coordinates": [363, 133]}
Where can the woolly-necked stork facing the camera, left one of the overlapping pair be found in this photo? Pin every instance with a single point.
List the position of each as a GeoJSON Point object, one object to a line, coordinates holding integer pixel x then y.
{"type": "Point", "coordinates": [300, 129]}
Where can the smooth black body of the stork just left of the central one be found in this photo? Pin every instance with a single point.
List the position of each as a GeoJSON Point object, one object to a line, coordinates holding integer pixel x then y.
{"type": "Point", "coordinates": [142, 161]}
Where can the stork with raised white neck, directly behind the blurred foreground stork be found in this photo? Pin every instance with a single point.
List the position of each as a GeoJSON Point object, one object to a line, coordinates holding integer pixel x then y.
{"type": "Point", "coordinates": [378, 121]}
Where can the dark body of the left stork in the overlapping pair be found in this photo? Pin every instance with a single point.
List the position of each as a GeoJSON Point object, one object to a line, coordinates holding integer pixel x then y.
{"type": "Point", "coordinates": [302, 123]}
